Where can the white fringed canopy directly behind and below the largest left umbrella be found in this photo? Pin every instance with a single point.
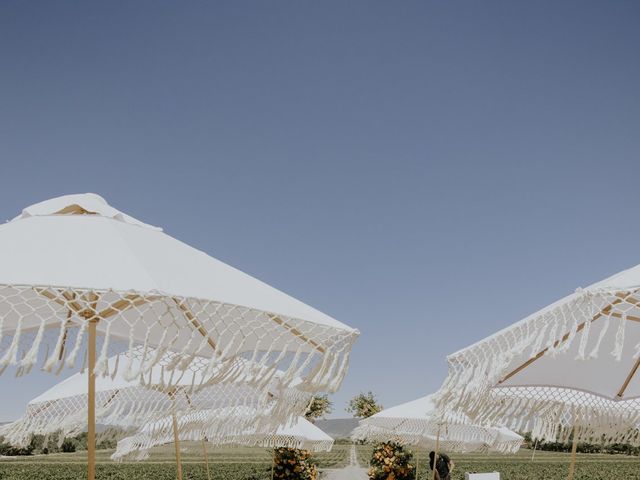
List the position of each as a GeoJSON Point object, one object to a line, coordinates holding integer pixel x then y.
{"type": "Point", "coordinates": [125, 403]}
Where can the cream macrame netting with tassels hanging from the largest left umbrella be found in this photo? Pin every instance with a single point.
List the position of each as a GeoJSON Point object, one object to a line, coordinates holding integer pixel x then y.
{"type": "Point", "coordinates": [49, 325]}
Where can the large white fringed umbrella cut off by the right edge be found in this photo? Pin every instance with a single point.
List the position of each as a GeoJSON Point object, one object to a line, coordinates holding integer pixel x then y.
{"type": "Point", "coordinates": [568, 369]}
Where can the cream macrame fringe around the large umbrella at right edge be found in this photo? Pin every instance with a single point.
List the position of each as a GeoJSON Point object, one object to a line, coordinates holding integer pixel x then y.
{"type": "Point", "coordinates": [477, 371]}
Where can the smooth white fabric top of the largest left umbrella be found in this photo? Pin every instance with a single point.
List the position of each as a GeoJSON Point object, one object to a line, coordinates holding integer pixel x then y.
{"type": "Point", "coordinates": [121, 253]}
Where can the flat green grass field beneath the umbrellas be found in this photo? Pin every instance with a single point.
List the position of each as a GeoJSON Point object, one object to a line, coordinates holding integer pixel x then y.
{"type": "Point", "coordinates": [254, 464]}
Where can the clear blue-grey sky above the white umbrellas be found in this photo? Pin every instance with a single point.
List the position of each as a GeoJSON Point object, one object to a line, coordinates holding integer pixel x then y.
{"type": "Point", "coordinates": [428, 172]}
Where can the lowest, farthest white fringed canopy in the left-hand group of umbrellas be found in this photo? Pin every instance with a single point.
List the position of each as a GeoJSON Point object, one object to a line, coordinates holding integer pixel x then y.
{"type": "Point", "coordinates": [300, 434]}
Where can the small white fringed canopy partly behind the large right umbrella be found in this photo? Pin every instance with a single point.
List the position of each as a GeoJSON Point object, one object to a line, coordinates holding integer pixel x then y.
{"type": "Point", "coordinates": [418, 422]}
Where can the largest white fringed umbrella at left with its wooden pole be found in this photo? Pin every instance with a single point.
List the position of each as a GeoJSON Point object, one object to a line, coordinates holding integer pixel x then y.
{"type": "Point", "coordinates": [75, 267]}
